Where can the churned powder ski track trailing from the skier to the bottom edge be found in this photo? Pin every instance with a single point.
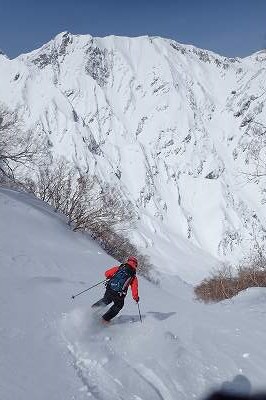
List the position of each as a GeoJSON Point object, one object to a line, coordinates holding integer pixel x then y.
{"type": "Point", "coordinates": [114, 347]}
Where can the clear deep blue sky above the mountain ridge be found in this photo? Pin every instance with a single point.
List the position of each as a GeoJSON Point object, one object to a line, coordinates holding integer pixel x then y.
{"type": "Point", "coordinates": [228, 27]}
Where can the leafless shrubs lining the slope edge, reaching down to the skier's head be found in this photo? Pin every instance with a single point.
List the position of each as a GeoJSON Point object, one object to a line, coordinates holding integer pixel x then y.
{"type": "Point", "coordinates": [90, 206]}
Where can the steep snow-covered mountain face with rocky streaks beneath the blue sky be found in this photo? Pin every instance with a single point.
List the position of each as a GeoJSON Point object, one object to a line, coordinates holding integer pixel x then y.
{"type": "Point", "coordinates": [176, 128]}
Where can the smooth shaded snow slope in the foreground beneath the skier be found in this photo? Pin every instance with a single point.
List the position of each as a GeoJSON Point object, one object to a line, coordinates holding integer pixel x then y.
{"type": "Point", "coordinates": [55, 348]}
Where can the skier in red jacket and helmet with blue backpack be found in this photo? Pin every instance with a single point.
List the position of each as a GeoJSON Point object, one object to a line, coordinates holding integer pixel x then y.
{"type": "Point", "coordinates": [119, 279]}
